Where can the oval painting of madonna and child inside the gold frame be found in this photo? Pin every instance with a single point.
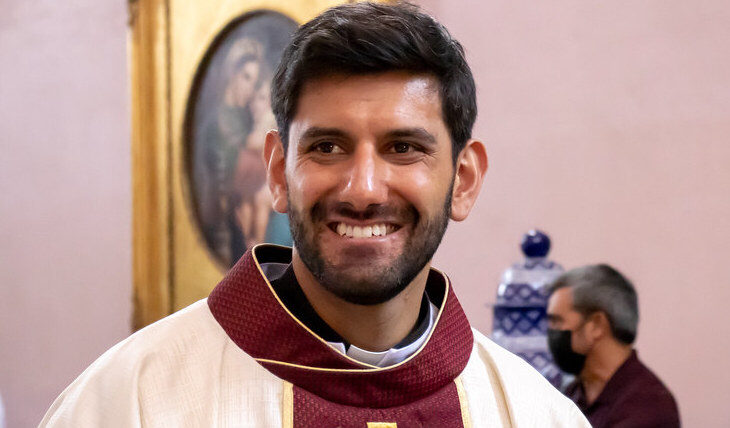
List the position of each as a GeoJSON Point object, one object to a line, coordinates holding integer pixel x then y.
{"type": "Point", "coordinates": [229, 114]}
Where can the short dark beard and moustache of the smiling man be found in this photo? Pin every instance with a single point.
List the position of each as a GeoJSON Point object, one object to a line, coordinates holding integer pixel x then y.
{"type": "Point", "coordinates": [367, 284]}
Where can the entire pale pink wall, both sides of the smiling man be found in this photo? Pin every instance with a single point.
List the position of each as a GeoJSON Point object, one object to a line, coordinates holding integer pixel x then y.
{"type": "Point", "coordinates": [606, 125]}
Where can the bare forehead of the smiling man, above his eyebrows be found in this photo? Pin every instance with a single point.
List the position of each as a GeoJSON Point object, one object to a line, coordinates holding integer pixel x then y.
{"type": "Point", "coordinates": [371, 102]}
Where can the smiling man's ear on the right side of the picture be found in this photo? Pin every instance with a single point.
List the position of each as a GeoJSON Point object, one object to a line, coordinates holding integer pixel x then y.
{"type": "Point", "coordinates": [469, 175]}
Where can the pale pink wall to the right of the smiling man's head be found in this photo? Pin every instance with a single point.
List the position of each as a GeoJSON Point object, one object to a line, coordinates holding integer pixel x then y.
{"type": "Point", "coordinates": [607, 125]}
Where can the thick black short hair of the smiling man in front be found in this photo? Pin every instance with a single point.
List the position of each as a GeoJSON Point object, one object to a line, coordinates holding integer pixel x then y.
{"type": "Point", "coordinates": [368, 38]}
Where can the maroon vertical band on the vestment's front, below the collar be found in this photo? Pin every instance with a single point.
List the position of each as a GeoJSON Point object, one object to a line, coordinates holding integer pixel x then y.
{"type": "Point", "coordinates": [440, 409]}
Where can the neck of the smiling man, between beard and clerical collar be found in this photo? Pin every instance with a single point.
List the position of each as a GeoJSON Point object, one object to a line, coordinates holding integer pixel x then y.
{"type": "Point", "coordinates": [373, 327]}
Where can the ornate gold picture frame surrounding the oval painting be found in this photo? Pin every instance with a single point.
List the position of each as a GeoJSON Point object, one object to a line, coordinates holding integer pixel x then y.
{"type": "Point", "coordinates": [170, 40]}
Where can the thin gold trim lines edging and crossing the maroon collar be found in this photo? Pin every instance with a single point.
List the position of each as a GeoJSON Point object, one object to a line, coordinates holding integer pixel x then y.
{"type": "Point", "coordinates": [370, 367]}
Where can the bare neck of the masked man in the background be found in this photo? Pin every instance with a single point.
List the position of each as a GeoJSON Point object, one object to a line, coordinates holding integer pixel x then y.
{"type": "Point", "coordinates": [601, 364]}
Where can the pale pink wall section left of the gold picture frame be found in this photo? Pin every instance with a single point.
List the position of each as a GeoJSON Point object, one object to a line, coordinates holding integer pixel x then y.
{"type": "Point", "coordinates": [65, 225]}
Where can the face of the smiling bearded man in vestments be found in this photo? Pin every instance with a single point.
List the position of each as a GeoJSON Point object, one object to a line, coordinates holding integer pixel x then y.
{"type": "Point", "coordinates": [369, 178]}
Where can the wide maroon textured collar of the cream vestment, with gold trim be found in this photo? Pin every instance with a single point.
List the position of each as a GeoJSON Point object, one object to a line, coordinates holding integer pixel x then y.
{"type": "Point", "coordinates": [246, 307]}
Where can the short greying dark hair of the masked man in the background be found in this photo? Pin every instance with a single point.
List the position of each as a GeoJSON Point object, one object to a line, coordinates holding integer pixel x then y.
{"type": "Point", "coordinates": [602, 288]}
